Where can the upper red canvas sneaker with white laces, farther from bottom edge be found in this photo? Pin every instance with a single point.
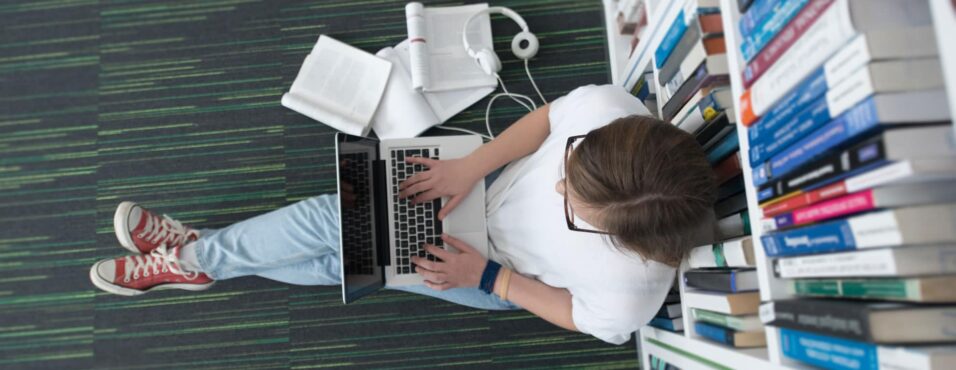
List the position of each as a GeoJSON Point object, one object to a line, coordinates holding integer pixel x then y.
{"type": "Point", "coordinates": [141, 231]}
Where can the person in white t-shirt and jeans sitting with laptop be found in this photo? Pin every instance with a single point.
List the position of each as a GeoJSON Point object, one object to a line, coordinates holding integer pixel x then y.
{"type": "Point", "coordinates": [636, 194]}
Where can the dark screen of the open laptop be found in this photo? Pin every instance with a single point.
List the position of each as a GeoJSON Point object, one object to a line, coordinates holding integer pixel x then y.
{"type": "Point", "coordinates": [358, 235]}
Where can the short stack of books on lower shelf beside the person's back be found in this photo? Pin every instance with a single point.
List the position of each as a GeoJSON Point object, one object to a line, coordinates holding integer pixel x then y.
{"type": "Point", "coordinates": [724, 299]}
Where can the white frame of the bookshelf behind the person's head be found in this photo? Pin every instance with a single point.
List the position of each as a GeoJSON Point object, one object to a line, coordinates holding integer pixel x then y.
{"type": "Point", "coordinates": [687, 350]}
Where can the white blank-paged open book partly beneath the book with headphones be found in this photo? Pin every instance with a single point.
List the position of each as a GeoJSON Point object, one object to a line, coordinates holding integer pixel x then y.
{"type": "Point", "coordinates": [406, 112]}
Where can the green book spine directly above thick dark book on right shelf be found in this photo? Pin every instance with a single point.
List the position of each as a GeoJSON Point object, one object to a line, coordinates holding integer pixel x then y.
{"type": "Point", "coordinates": [889, 289]}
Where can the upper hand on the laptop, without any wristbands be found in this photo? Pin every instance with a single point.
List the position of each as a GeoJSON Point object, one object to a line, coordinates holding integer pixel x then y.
{"type": "Point", "coordinates": [452, 178]}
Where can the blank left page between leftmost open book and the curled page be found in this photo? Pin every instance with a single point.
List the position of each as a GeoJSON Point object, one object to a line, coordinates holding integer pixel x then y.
{"type": "Point", "coordinates": [403, 113]}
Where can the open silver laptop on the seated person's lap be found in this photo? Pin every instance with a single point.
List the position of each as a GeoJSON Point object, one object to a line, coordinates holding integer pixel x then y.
{"type": "Point", "coordinates": [379, 233]}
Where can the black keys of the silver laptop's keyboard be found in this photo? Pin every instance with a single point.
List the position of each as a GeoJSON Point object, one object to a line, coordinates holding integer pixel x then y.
{"type": "Point", "coordinates": [414, 224]}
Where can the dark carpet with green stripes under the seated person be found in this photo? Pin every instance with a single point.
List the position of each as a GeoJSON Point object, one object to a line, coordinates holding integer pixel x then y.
{"type": "Point", "coordinates": [176, 105]}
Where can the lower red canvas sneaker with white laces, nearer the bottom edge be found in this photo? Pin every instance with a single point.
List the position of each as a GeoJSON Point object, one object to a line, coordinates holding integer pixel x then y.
{"type": "Point", "coordinates": [138, 274]}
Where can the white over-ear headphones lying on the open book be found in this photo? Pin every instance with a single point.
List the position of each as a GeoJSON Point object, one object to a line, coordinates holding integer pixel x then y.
{"type": "Point", "coordinates": [524, 45]}
